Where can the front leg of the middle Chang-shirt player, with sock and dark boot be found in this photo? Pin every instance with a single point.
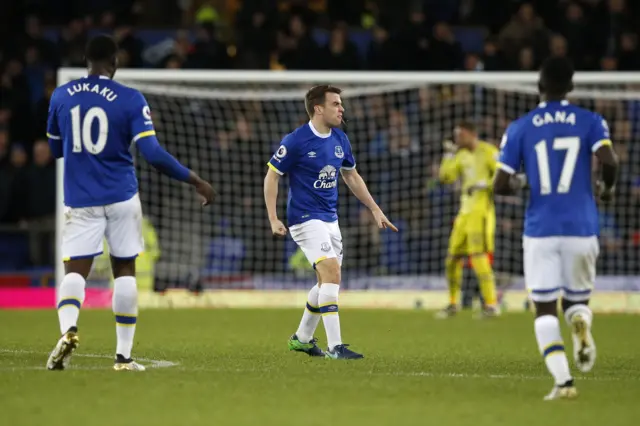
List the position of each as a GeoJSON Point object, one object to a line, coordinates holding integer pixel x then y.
{"type": "Point", "coordinates": [330, 278]}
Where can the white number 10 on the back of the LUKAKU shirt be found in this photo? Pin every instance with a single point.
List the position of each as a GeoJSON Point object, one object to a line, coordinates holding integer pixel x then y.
{"type": "Point", "coordinates": [81, 129]}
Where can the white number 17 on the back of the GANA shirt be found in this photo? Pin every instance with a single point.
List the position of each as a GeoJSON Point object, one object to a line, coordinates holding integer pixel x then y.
{"type": "Point", "coordinates": [569, 144]}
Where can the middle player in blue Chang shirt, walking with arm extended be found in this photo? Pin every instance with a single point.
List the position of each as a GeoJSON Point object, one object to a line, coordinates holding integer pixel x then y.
{"type": "Point", "coordinates": [313, 156]}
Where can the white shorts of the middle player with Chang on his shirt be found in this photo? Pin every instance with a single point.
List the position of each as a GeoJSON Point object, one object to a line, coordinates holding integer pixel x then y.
{"type": "Point", "coordinates": [318, 240]}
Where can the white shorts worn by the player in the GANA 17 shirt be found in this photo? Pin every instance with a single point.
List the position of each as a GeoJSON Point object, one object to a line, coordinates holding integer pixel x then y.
{"type": "Point", "coordinates": [556, 267]}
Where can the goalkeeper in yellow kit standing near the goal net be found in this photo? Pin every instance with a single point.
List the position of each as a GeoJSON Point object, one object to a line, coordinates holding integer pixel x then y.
{"type": "Point", "coordinates": [474, 162]}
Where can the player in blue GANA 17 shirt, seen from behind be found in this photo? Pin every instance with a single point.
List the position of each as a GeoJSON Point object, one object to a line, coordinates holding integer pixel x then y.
{"type": "Point", "coordinates": [554, 144]}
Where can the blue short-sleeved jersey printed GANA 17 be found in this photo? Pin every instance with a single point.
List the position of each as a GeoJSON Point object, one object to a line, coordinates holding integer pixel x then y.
{"type": "Point", "coordinates": [554, 144]}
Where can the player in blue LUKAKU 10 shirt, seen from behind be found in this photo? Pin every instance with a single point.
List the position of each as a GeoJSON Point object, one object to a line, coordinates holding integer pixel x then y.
{"type": "Point", "coordinates": [92, 123]}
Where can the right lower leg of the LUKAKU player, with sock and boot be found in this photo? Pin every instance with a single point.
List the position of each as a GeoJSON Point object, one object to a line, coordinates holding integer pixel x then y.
{"type": "Point", "coordinates": [125, 309]}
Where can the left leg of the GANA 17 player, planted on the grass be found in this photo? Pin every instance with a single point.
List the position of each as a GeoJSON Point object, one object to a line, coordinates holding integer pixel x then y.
{"type": "Point", "coordinates": [551, 345]}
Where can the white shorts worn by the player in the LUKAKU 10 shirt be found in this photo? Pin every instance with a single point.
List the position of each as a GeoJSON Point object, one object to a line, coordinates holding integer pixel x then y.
{"type": "Point", "coordinates": [85, 227]}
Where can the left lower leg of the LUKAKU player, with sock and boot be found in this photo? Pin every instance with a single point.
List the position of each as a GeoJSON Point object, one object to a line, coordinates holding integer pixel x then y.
{"type": "Point", "coordinates": [71, 296]}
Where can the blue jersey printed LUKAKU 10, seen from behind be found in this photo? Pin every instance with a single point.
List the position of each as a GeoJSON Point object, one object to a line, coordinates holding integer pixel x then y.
{"type": "Point", "coordinates": [96, 120]}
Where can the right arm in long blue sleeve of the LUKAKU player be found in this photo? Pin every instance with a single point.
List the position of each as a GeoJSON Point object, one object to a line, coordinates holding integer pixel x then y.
{"type": "Point", "coordinates": [168, 165]}
